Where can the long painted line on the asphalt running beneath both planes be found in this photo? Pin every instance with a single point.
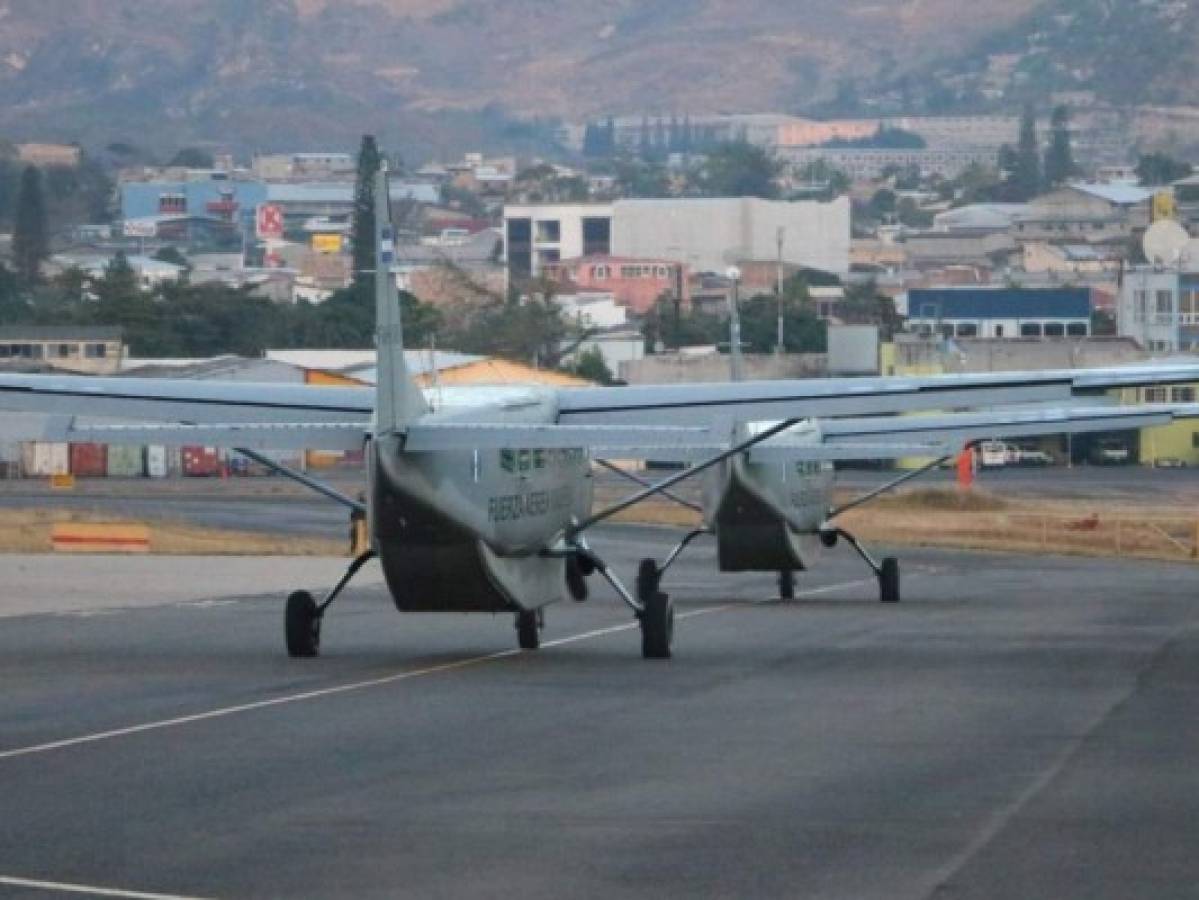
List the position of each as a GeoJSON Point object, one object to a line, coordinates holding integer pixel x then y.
{"type": "Point", "coordinates": [371, 682]}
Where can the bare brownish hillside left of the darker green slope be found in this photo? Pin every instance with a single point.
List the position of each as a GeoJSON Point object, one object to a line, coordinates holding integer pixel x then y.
{"type": "Point", "coordinates": [436, 74]}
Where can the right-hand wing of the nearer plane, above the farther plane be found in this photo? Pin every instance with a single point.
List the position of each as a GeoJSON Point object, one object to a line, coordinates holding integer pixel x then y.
{"type": "Point", "coordinates": [761, 401]}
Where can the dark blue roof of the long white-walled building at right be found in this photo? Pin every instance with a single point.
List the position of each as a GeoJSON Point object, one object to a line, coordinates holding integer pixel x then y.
{"type": "Point", "coordinates": [999, 304]}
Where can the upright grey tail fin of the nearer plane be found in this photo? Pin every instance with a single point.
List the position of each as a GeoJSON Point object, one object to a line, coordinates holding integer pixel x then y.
{"type": "Point", "coordinates": [399, 400]}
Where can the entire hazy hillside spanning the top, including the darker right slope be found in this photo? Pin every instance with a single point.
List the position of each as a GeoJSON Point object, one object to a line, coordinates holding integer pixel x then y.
{"type": "Point", "coordinates": [437, 76]}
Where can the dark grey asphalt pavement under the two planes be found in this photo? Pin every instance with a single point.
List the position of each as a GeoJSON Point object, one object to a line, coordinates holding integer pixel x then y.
{"type": "Point", "coordinates": [1016, 728]}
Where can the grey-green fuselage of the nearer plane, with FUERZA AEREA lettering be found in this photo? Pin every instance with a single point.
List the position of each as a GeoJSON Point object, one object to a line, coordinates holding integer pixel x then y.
{"type": "Point", "coordinates": [465, 530]}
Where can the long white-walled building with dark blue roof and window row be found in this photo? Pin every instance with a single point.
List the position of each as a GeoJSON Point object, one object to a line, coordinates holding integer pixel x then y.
{"type": "Point", "coordinates": [1001, 312]}
